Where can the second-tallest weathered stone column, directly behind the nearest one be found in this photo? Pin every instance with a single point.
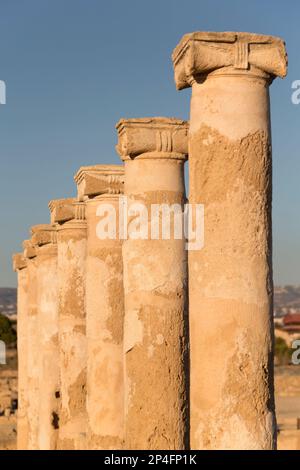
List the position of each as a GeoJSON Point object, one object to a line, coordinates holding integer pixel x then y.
{"type": "Point", "coordinates": [155, 282]}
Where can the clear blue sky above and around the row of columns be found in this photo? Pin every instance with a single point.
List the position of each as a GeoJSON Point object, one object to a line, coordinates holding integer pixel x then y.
{"type": "Point", "coordinates": [74, 67]}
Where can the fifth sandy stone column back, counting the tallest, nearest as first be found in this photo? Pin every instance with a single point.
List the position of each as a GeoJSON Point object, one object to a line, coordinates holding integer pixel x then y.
{"type": "Point", "coordinates": [44, 239]}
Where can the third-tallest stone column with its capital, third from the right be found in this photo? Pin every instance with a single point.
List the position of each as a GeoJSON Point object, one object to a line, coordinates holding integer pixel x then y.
{"type": "Point", "coordinates": [100, 186]}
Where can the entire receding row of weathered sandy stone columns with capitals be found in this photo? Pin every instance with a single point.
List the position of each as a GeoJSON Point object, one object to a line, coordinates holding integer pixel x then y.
{"type": "Point", "coordinates": [127, 339]}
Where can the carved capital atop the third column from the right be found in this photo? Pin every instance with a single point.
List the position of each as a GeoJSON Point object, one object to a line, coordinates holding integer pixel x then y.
{"type": "Point", "coordinates": [99, 179]}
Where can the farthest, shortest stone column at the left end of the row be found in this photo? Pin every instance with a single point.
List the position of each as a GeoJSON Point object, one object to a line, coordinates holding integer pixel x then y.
{"type": "Point", "coordinates": [20, 266]}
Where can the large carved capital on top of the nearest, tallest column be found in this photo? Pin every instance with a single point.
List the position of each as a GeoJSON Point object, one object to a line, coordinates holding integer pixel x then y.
{"type": "Point", "coordinates": [202, 53]}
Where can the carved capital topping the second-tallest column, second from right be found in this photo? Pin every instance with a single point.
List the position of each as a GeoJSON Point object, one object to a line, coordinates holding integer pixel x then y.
{"type": "Point", "coordinates": [157, 137]}
